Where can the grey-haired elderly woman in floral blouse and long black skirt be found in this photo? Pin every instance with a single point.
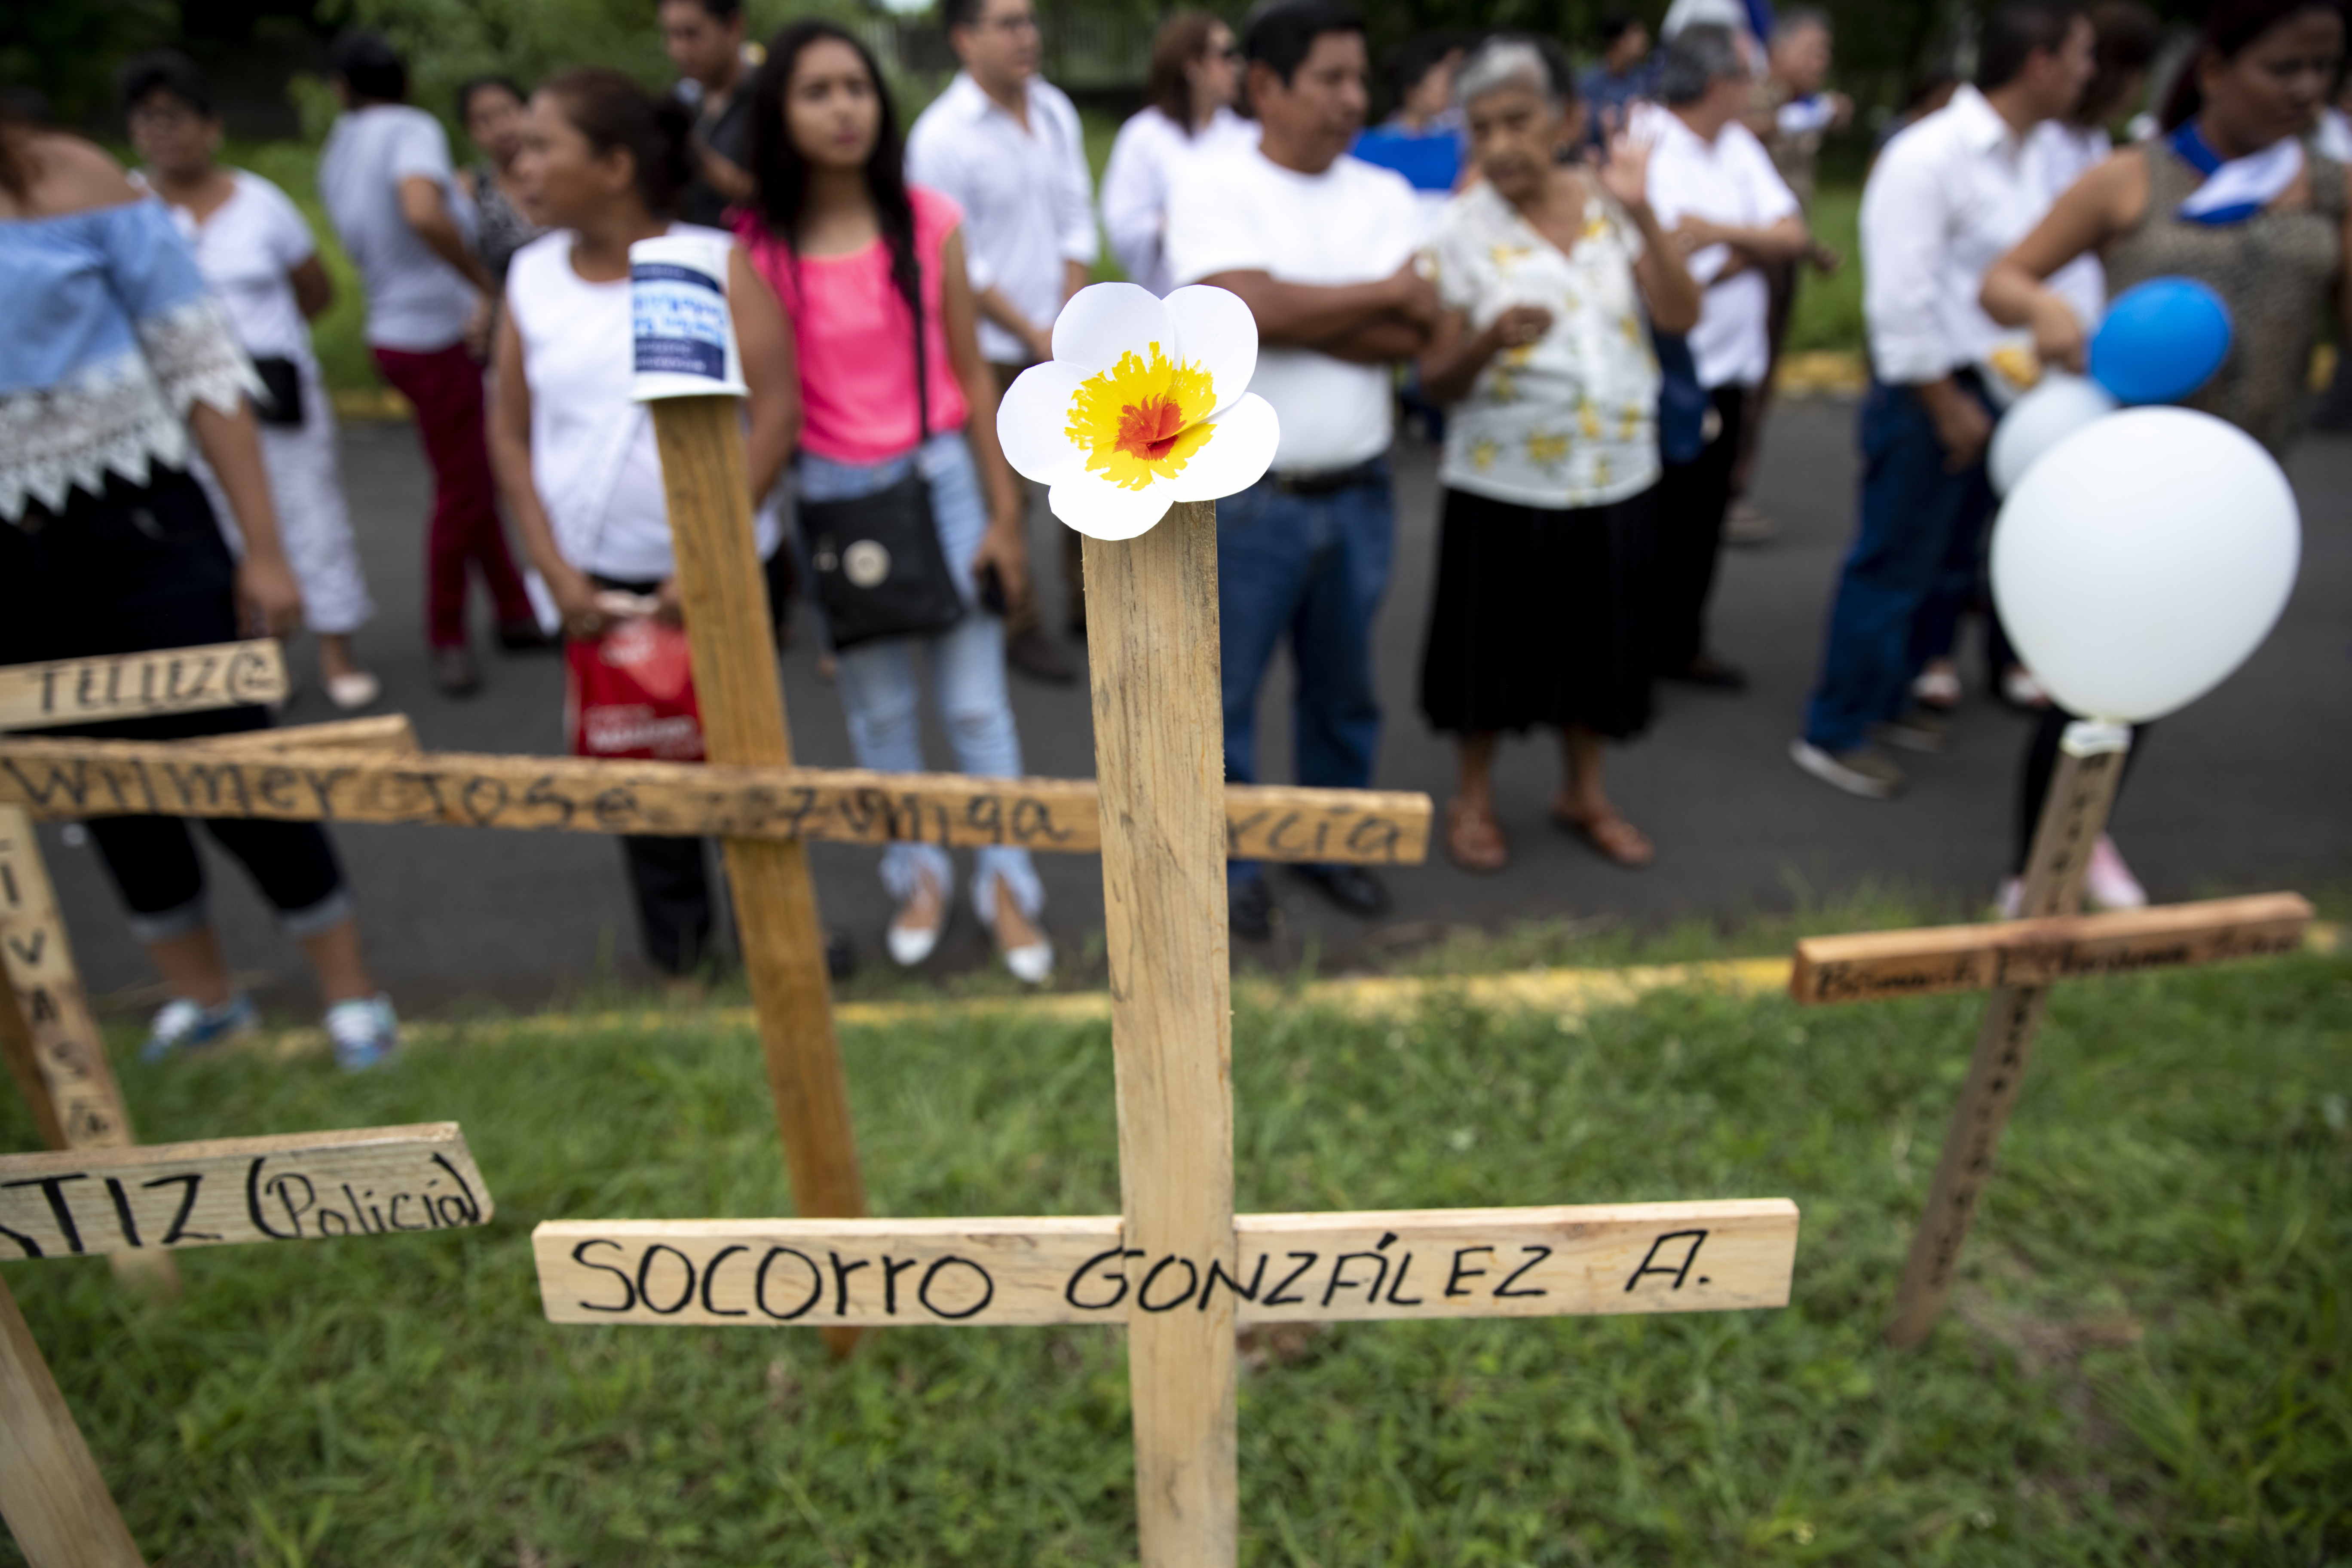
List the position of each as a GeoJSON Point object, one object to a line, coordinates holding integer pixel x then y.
{"type": "Point", "coordinates": [1549, 276]}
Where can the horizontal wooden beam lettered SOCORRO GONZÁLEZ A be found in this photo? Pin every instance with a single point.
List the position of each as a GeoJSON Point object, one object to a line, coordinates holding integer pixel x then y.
{"type": "Point", "coordinates": [1408, 1264]}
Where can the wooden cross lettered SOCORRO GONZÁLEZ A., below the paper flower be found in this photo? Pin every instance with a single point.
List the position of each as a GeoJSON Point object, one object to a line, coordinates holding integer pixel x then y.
{"type": "Point", "coordinates": [1177, 1268]}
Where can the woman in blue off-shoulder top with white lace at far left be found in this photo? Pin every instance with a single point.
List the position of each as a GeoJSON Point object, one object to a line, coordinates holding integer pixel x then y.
{"type": "Point", "coordinates": [116, 368]}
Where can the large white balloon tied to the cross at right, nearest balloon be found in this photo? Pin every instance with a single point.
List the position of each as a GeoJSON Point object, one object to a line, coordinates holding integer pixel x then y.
{"type": "Point", "coordinates": [2144, 561]}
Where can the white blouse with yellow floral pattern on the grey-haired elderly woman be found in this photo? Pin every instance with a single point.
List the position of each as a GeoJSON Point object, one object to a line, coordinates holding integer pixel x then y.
{"type": "Point", "coordinates": [1570, 420]}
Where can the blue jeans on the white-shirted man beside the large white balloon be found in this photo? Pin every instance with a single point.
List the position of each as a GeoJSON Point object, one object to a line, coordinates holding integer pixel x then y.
{"type": "Point", "coordinates": [1911, 570]}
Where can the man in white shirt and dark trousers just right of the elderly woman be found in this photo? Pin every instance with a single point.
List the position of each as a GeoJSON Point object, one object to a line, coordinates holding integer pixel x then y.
{"type": "Point", "coordinates": [1718, 194]}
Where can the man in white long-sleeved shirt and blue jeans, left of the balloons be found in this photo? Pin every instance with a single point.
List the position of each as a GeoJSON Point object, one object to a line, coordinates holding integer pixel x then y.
{"type": "Point", "coordinates": [1944, 203]}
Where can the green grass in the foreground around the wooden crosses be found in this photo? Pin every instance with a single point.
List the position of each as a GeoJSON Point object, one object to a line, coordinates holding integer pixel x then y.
{"type": "Point", "coordinates": [2149, 1353]}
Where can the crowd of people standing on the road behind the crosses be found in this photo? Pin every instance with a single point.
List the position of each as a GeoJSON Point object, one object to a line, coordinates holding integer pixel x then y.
{"type": "Point", "coordinates": [1582, 283]}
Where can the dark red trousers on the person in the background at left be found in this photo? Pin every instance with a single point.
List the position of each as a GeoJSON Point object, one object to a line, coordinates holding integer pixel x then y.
{"type": "Point", "coordinates": [446, 387]}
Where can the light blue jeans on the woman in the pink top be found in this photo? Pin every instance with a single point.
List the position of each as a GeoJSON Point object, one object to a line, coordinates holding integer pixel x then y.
{"type": "Point", "coordinates": [881, 681]}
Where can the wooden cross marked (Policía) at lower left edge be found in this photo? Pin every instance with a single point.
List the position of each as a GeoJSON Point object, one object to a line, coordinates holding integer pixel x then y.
{"type": "Point", "coordinates": [149, 1202]}
